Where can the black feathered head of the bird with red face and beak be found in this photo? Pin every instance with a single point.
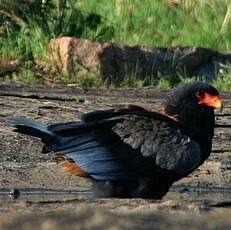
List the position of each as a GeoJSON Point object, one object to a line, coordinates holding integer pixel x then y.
{"type": "Point", "coordinates": [192, 100]}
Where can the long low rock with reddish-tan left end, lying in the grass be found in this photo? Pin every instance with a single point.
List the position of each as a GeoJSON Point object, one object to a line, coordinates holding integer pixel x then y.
{"type": "Point", "coordinates": [116, 61]}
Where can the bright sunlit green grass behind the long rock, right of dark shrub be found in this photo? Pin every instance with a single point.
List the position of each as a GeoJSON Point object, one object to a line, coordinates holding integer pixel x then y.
{"type": "Point", "coordinates": [156, 23]}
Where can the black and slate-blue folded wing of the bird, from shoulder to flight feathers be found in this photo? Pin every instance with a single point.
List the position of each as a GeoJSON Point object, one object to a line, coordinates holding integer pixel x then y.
{"type": "Point", "coordinates": [127, 143]}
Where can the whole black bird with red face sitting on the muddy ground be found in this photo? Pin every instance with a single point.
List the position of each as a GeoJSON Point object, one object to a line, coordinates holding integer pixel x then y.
{"type": "Point", "coordinates": [130, 151]}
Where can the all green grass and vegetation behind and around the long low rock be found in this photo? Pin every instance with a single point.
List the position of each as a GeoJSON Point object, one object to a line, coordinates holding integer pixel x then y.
{"type": "Point", "coordinates": [134, 22]}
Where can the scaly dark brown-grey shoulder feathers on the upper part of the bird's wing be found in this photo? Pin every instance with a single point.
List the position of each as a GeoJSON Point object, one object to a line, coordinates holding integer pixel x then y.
{"type": "Point", "coordinates": [172, 150]}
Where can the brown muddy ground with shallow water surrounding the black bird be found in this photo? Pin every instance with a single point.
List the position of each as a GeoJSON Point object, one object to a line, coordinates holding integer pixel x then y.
{"type": "Point", "coordinates": [203, 199]}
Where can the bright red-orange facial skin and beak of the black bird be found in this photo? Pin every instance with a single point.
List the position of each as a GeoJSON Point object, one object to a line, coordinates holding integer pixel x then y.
{"type": "Point", "coordinates": [210, 100]}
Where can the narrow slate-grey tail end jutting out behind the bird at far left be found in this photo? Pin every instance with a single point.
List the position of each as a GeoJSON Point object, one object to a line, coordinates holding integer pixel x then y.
{"type": "Point", "coordinates": [33, 128]}
